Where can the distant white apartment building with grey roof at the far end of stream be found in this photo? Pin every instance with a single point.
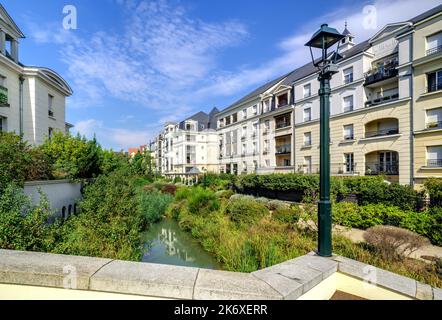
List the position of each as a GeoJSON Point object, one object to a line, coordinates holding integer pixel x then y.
{"type": "Point", "coordinates": [188, 148]}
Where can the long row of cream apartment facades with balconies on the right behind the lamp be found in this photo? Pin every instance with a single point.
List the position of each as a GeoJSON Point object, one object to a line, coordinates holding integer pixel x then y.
{"type": "Point", "coordinates": [385, 117]}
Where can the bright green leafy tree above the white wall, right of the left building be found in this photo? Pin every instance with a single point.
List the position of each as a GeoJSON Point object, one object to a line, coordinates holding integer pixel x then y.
{"type": "Point", "coordinates": [73, 157]}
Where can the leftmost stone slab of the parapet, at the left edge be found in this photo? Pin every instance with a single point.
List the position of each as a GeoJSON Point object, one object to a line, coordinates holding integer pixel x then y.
{"type": "Point", "coordinates": [48, 270]}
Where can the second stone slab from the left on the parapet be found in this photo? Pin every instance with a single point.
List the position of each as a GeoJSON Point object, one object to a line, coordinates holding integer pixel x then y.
{"type": "Point", "coordinates": [146, 279]}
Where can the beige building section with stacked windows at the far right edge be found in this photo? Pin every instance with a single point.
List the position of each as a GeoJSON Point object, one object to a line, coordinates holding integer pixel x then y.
{"type": "Point", "coordinates": [426, 37]}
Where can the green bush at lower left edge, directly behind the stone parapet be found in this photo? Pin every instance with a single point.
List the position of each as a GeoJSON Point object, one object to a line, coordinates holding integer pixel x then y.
{"type": "Point", "coordinates": [23, 226]}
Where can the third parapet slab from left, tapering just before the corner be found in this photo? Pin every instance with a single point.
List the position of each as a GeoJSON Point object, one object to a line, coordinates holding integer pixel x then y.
{"type": "Point", "coordinates": [223, 285]}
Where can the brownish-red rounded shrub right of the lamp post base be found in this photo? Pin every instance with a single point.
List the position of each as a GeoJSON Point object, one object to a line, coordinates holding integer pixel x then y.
{"type": "Point", "coordinates": [393, 242]}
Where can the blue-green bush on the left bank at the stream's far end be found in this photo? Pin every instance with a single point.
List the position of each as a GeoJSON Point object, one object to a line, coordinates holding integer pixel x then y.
{"type": "Point", "coordinates": [153, 206]}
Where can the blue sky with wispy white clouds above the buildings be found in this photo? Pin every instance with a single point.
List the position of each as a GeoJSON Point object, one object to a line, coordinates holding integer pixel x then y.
{"type": "Point", "coordinates": [135, 64]}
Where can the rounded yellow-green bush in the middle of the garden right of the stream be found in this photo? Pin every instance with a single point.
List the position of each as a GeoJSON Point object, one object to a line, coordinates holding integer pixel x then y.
{"type": "Point", "coordinates": [245, 210]}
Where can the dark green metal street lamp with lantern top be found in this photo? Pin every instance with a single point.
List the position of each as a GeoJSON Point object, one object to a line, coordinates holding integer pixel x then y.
{"type": "Point", "coordinates": [324, 39]}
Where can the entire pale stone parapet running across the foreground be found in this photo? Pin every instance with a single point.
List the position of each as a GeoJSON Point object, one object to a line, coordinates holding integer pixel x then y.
{"type": "Point", "coordinates": [286, 281]}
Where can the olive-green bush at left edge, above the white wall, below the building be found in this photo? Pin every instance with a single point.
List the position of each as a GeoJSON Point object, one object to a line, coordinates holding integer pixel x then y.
{"type": "Point", "coordinates": [14, 159]}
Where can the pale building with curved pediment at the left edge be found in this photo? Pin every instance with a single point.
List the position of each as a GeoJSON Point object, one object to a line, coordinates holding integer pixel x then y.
{"type": "Point", "coordinates": [32, 99]}
